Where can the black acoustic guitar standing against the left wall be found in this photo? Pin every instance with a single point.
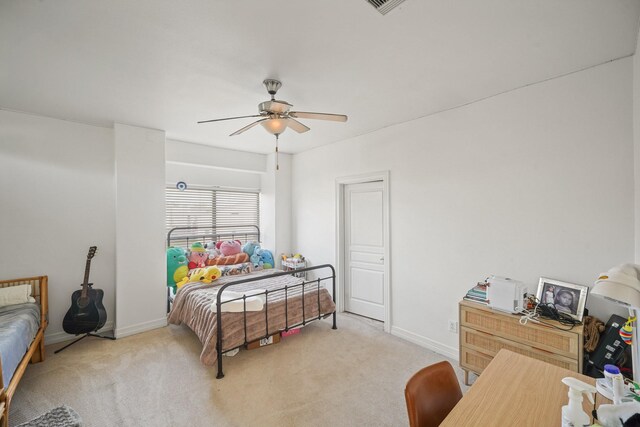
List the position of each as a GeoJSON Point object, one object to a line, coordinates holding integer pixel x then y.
{"type": "Point", "coordinates": [86, 314]}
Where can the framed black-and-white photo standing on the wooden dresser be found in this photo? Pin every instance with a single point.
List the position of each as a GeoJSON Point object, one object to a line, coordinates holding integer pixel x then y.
{"type": "Point", "coordinates": [565, 297]}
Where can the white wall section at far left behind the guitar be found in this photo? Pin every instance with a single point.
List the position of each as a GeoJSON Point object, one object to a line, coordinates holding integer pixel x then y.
{"type": "Point", "coordinates": [56, 200]}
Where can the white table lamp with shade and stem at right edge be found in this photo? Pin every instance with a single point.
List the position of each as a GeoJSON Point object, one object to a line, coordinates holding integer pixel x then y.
{"type": "Point", "coordinates": [622, 286]}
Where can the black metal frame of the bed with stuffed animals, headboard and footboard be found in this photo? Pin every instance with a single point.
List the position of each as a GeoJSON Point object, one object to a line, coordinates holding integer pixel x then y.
{"type": "Point", "coordinates": [239, 232]}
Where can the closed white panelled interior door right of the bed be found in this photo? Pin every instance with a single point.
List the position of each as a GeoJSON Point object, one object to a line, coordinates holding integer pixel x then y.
{"type": "Point", "coordinates": [364, 249]}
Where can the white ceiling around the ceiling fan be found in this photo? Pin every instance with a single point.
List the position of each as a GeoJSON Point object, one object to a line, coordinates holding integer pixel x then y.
{"type": "Point", "coordinates": [166, 64]}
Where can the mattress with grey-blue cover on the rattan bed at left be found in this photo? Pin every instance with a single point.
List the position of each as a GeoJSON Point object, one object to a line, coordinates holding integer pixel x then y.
{"type": "Point", "coordinates": [18, 327]}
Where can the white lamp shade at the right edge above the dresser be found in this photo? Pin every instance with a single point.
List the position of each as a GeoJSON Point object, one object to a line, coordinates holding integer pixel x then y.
{"type": "Point", "coordinates": [620, 284]}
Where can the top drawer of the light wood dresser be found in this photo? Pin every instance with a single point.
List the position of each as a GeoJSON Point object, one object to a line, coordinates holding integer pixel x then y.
{"type": "Point", "coordinates": [501, 325]}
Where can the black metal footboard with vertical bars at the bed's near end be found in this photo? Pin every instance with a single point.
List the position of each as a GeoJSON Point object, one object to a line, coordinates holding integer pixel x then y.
{"type": "Point", "coordinates": [266, 293]}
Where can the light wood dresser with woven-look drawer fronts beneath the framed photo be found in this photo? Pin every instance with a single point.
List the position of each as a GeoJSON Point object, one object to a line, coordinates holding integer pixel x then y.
{"type": "Point", "coordinates": [483, 332]}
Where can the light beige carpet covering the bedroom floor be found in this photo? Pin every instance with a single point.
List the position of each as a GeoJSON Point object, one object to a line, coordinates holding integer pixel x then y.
{"type": "Point", "coordinates": [352, 376]}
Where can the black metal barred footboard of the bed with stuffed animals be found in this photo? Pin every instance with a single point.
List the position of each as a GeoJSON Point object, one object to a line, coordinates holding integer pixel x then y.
{"type": "Point", "coordinates": [298, 288]}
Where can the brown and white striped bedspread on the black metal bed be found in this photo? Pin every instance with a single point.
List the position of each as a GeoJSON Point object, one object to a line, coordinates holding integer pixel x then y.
{"type": "Point", "coordinates": [192, 306]}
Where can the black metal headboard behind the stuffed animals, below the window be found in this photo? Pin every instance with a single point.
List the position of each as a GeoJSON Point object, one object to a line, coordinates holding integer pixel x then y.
{"type": "Point", "coordinates": [183, 236]}
